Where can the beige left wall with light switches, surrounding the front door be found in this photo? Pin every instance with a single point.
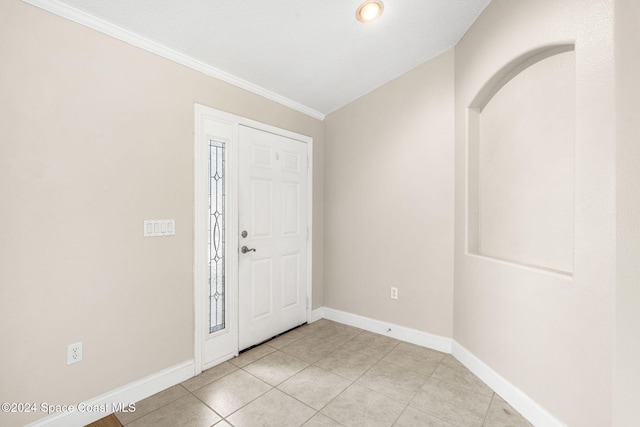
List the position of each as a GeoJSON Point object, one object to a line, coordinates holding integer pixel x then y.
{"type": "Point", "coordinates": [95, 137]}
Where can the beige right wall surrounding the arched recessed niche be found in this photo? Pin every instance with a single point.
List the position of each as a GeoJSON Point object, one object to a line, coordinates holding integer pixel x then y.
{"type": "Point", "coordinates": [548, 335]}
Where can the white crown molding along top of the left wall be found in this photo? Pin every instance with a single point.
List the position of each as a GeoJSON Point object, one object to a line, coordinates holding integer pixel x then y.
{"type": "Point", "coordinates": [134, 39]}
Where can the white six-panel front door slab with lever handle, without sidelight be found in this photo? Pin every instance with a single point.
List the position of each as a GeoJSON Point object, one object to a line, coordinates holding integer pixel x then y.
{"type": "Point", "coordinates": [273, 237]}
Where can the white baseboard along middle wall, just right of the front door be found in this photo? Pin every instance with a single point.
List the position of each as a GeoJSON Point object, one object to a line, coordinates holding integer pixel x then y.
{"type": "Point", "coordinates": [392, 330]}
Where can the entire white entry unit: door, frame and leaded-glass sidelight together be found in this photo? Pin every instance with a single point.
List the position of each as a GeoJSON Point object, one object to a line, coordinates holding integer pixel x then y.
{"type": "Point", "coordinates": [257, 174]}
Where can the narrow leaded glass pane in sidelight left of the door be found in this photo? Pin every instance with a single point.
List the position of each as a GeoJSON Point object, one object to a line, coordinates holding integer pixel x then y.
{"type": "Point", "coordinates": [216, 236]}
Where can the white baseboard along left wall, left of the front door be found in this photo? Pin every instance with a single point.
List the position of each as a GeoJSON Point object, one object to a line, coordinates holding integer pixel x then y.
{"type": "Point", "coordinates": [130, 393]}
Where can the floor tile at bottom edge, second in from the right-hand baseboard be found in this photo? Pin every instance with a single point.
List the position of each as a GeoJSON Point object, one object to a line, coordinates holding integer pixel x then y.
{"type": "Point", "coordinates": [452, 403]}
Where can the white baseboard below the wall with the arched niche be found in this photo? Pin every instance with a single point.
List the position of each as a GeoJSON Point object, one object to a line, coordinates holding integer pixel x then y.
{"type": "Point", "coordinates": [522, 403]}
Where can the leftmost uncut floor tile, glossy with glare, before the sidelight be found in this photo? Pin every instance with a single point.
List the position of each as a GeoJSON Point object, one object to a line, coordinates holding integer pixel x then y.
{"type": "Point", "coordinates": [230, 393]}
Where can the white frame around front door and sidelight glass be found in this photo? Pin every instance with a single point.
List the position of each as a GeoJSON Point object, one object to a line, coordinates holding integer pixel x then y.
{"type": "Point", "coordinates": [203, 116]}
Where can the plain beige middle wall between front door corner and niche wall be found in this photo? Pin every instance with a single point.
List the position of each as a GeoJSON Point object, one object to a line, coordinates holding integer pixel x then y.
{"type": "Point", "coordinates": [389, 201]}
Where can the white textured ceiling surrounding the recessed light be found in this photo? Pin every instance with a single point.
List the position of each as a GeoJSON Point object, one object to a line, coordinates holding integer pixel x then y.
{"type": "Point", "coordinates": [314, 53]}
